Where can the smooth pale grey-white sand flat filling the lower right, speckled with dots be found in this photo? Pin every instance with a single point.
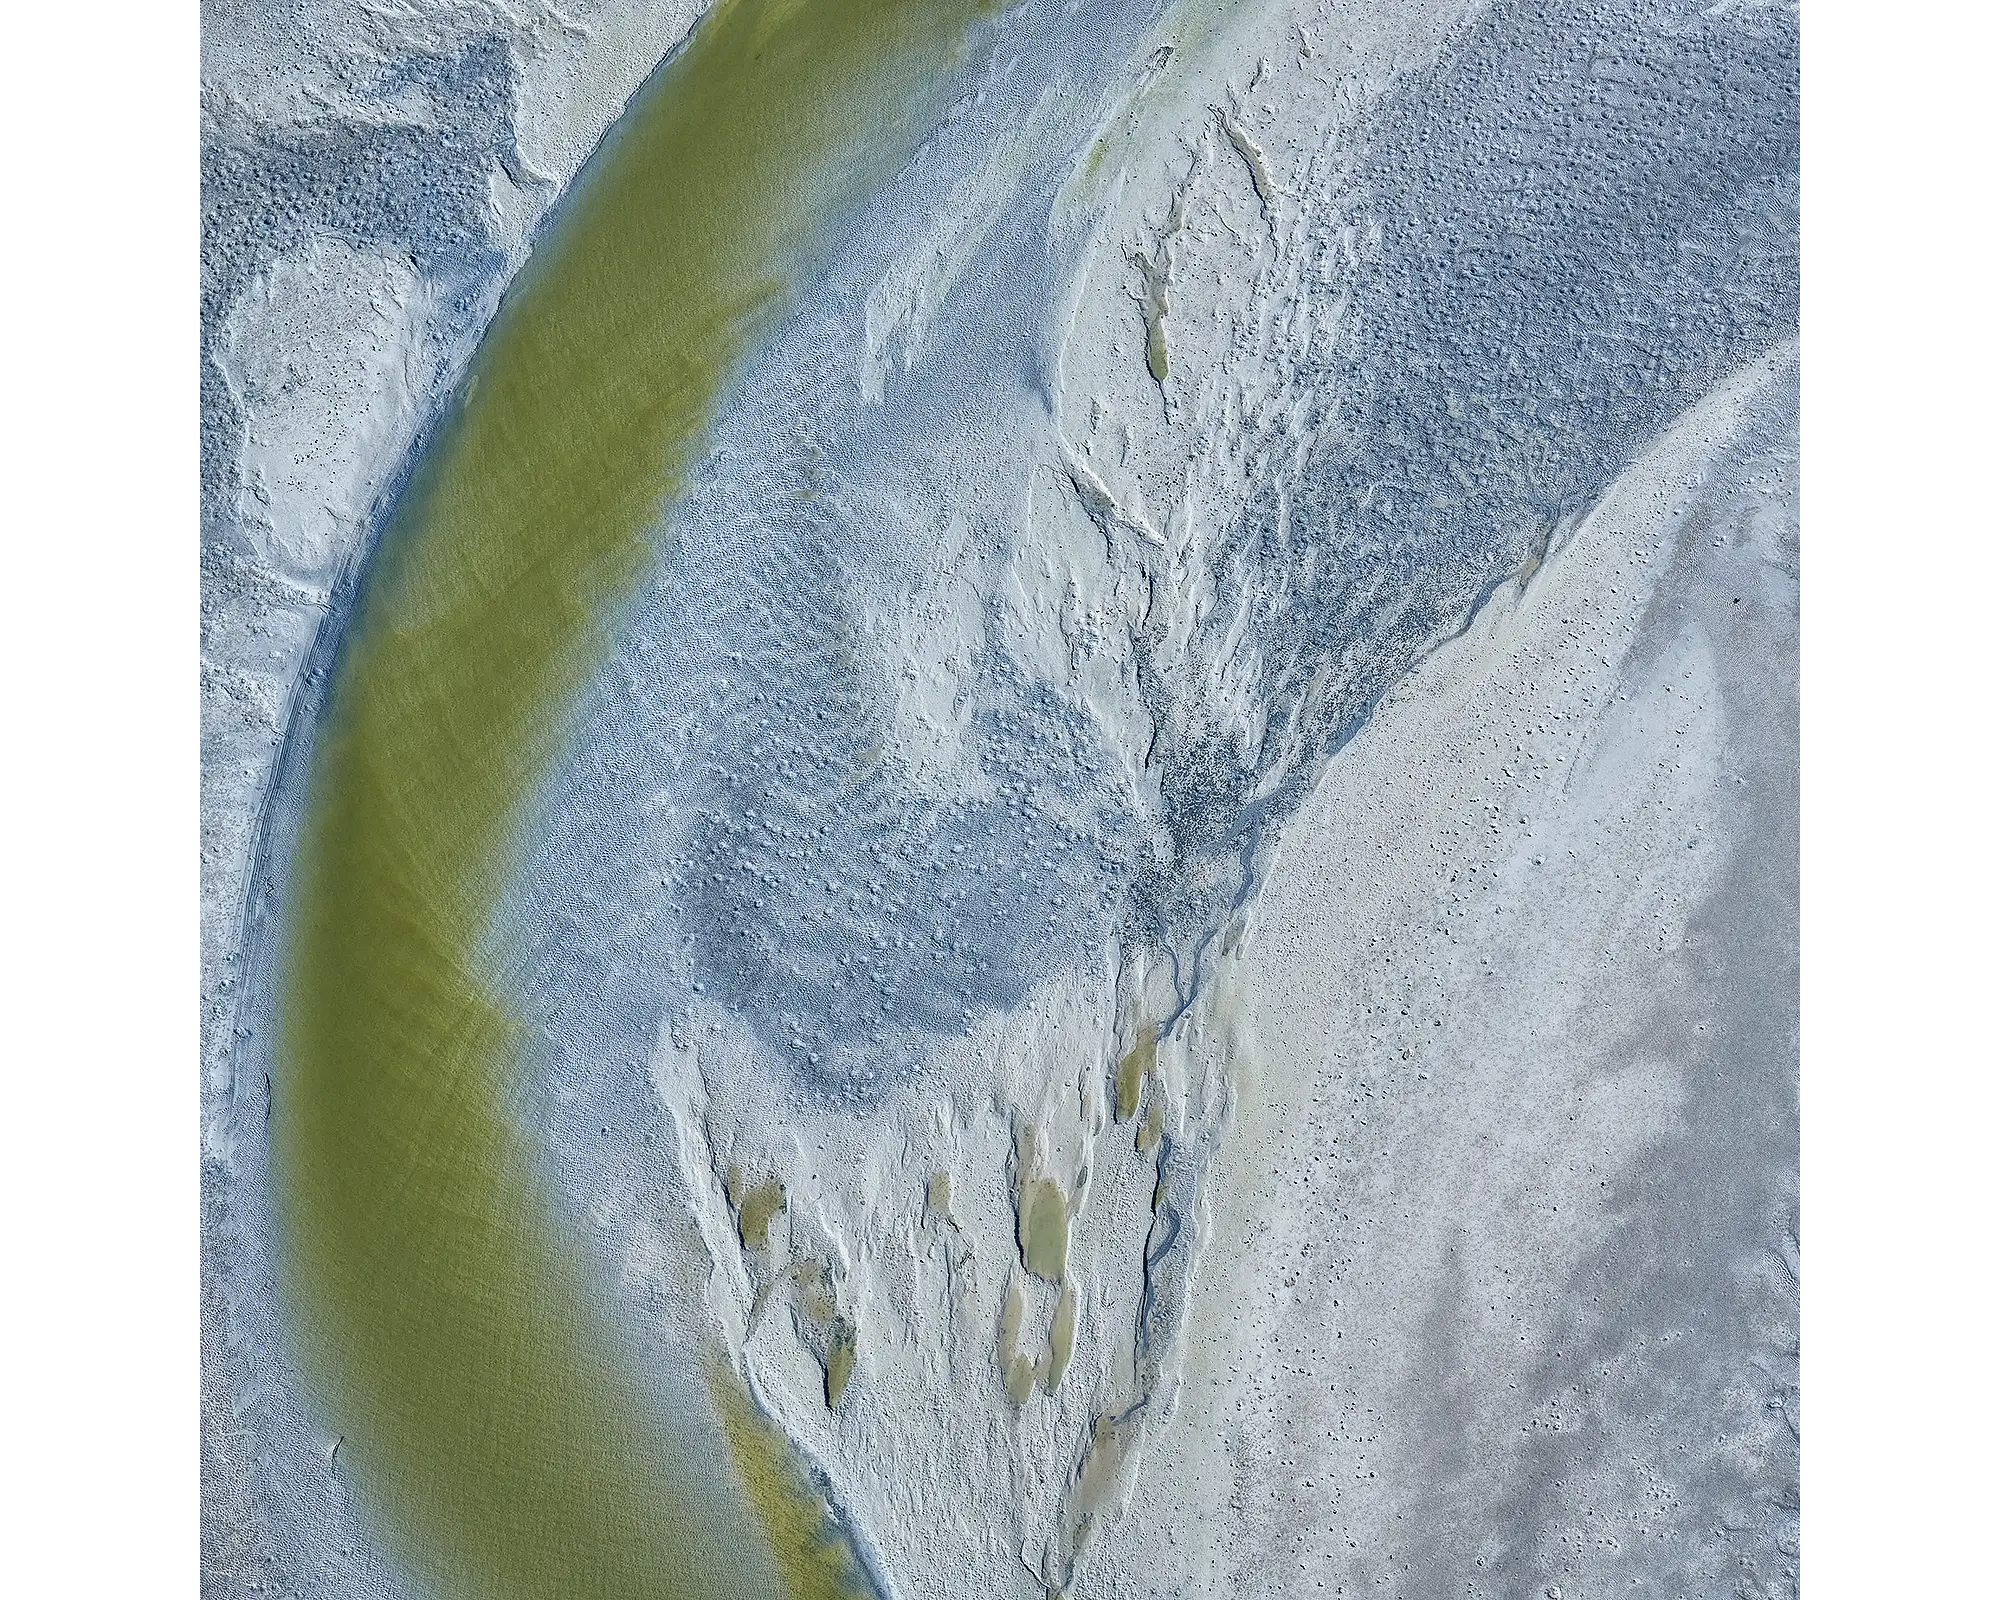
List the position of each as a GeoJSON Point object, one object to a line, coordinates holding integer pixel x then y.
{"type": "Point", "coordinates": [1499, 1291]}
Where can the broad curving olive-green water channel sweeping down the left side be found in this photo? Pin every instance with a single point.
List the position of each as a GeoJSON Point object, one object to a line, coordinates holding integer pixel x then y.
{"type": "Point", "coordinates": [445, 1313]}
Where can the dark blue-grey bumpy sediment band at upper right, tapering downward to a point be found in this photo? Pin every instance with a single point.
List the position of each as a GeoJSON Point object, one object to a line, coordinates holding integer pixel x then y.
{"type": "Point", "coordinates": [1487, 379]}
